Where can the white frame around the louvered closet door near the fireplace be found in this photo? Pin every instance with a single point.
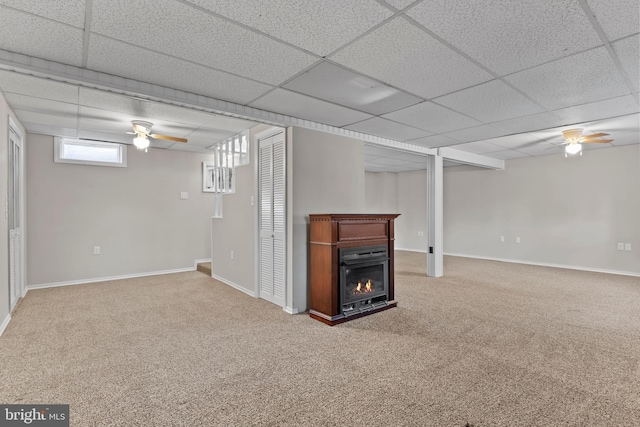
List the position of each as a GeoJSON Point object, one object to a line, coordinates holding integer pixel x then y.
{"type": "Point", "coordinates": [267, 133]}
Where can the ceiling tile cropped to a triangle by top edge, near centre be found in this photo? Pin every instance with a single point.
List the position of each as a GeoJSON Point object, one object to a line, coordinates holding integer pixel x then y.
{"type": "Point", "coordinates": [319, 27]}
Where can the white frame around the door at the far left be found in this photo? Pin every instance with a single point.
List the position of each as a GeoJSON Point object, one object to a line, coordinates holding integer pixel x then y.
{"type": "Point", "coordinates": [20, 276]}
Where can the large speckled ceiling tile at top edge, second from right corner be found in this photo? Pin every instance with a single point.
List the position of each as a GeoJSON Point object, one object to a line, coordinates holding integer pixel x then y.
{"type": "Point", "coordinates": [505, 36]}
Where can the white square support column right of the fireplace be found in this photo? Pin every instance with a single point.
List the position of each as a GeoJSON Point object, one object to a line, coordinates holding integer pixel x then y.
{"type": "Point", "coordinates": [435, 217]}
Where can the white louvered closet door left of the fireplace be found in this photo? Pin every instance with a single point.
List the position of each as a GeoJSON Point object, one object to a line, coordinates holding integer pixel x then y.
{"type": "Point", "coordinates": [272, 205]}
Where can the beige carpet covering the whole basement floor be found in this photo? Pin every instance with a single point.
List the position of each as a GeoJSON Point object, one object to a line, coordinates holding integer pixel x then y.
{"type": "Point", "coordinates": [491, 344]}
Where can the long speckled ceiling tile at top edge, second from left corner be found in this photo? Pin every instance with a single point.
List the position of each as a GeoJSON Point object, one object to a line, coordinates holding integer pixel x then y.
{"type": "Point", "coordinates": [182, 31]}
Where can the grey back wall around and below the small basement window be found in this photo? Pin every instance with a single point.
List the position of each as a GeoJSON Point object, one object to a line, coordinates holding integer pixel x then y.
{"type": "Point", "coordinates": [134, 214]}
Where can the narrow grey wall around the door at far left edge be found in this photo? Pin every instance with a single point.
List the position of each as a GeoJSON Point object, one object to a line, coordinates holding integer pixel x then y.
{"type": "Point", "coordinates": [5, 113]}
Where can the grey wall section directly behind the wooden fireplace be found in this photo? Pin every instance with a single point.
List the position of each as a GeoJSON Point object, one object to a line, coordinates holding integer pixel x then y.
{"type": "Point", "coordinates": [328, 177]}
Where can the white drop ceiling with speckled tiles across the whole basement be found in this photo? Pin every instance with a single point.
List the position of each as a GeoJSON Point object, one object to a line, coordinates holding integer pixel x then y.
{"type": "Point", "coordinates": [497, 78]}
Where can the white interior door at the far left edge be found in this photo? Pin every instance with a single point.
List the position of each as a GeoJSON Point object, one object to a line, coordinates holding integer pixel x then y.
{"type": "Point", "coordinates": [14, 211]}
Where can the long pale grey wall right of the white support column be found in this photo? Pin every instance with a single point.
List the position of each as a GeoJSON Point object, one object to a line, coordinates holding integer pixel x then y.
{"type": "Point", "coordinates": [566, 211]}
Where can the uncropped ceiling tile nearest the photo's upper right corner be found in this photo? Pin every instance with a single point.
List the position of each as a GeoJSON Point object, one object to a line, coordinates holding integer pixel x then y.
{"type": "Point", "coordinates": [585, 77]}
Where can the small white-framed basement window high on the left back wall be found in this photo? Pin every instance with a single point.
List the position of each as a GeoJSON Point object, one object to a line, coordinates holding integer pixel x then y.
{"type": "Point", "coordinates": [87, 152]}
